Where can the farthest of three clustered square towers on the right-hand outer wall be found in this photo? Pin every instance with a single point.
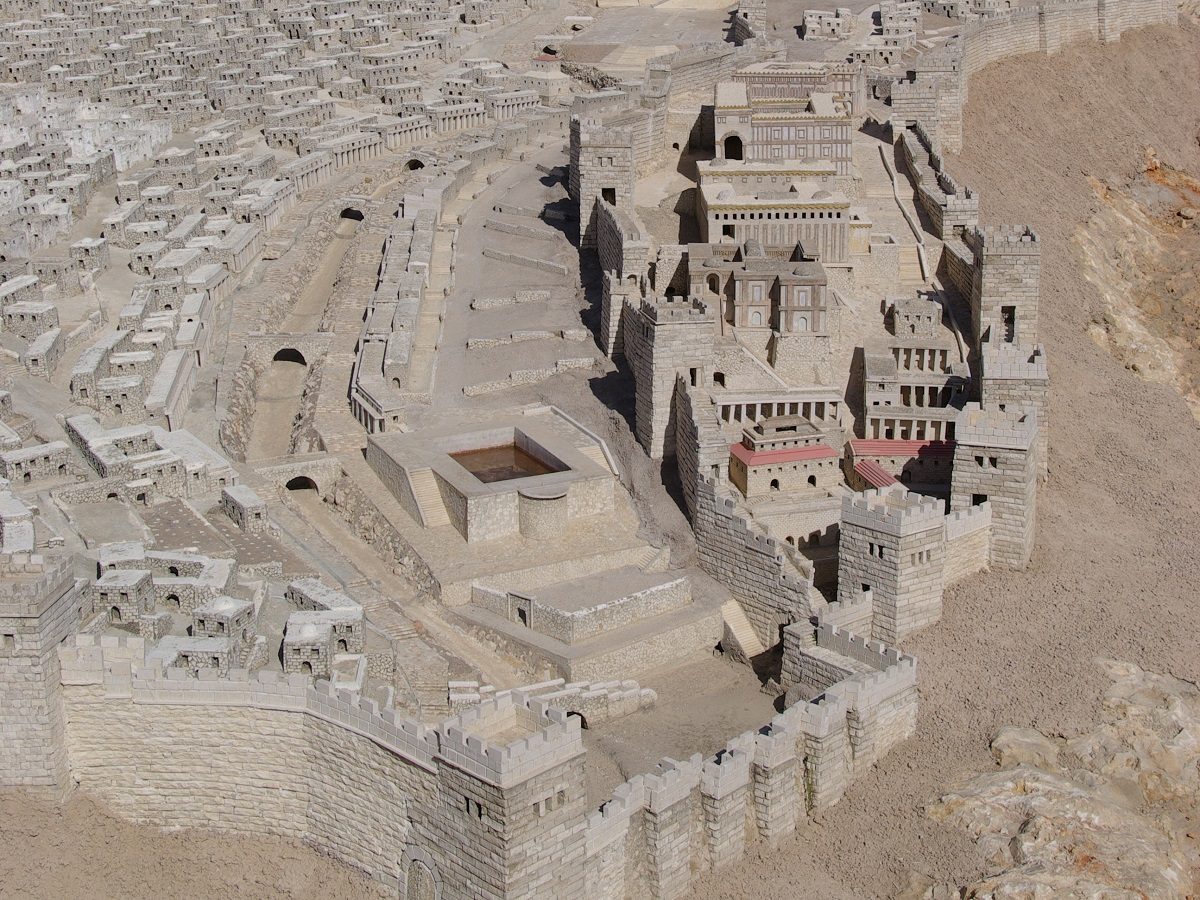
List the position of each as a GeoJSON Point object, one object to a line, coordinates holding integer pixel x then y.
{"type": "Point", "coordinates": [1005, 287]}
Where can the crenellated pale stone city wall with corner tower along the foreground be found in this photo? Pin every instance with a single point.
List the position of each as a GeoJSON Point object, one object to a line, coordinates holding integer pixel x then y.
{"type": "Point", "coordinates": [385, 794]}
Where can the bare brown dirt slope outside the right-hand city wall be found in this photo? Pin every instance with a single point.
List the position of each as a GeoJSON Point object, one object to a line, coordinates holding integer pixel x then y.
{"type": "Point", "coordinates": [1115, 566]}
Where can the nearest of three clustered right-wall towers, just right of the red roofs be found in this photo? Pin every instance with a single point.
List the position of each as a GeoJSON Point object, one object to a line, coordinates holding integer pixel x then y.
{"type": "Point", "coordinates": [995, 463]}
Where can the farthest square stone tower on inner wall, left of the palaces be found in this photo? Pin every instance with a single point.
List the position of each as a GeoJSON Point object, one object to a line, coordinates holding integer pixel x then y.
{"type": "Point", "coordinates": [602, 171]}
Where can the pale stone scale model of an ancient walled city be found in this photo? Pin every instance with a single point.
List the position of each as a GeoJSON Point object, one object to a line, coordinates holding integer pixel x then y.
{"type": "Point", "coordinates": [503, 446]}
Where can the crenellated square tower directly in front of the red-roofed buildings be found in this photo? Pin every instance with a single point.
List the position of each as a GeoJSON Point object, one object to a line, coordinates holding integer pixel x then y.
{"type": "Point", "coordinates": [892, 551]}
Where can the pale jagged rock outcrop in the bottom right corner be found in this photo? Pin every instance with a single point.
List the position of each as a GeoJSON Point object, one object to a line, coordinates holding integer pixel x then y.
{"type": "Point", "coordinates": [1105, 815]}
